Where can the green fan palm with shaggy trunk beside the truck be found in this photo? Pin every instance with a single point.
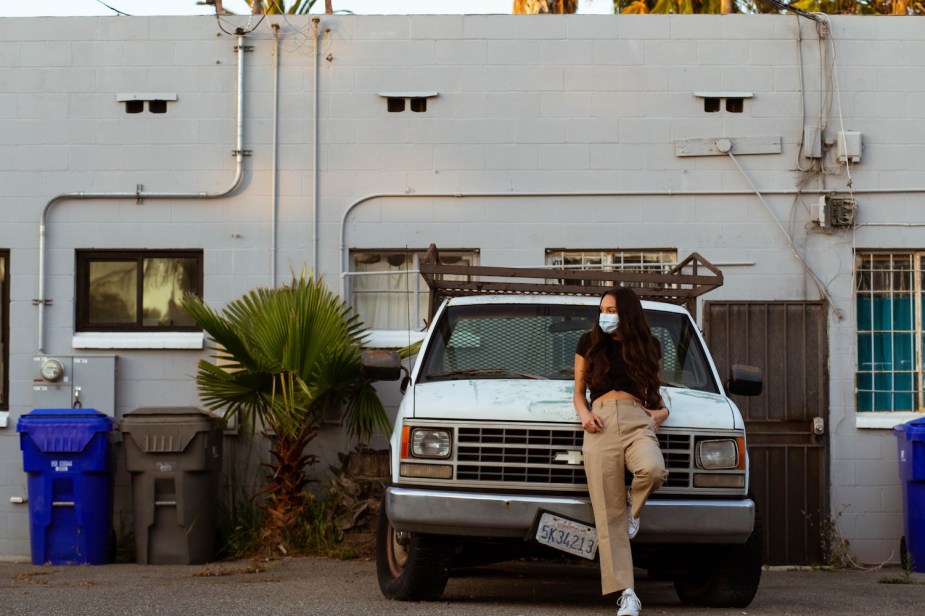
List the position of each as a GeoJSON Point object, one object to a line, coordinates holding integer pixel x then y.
{"type": "Point", "coordinates": [285, 358]}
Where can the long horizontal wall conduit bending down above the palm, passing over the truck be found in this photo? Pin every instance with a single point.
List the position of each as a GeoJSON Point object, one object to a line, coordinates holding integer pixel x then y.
{"type": "Point", "coordinates": [345, 253]}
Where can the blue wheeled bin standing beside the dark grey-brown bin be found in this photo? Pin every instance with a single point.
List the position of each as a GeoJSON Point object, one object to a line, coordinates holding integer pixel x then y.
{"type": "Point", "coordinates": [66, 454]}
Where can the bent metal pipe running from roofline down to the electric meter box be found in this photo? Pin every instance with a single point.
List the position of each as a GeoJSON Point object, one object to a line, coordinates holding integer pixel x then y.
{"type": "Point", "coordinates": [140, 195]}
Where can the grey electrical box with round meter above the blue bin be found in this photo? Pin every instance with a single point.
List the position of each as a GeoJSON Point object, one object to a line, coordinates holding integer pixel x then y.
{"type": "Point", "coordinates": [69, 382]}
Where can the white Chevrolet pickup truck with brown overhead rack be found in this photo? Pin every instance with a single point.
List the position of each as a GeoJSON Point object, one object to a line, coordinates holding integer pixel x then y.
{"type": "Point", "coordinates": [486, 440]}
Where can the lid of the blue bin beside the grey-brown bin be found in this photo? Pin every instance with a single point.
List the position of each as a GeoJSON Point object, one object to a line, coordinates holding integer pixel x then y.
{"type": "Point", "coordinates": [63, 430]}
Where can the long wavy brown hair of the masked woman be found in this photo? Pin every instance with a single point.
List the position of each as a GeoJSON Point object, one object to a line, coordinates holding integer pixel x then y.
{"type": "Point", "coordinates": [640, 349]}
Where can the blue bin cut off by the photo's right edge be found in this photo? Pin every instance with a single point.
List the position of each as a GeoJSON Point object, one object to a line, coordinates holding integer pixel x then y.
{"type": "Point", "coordinates": [910, 438]}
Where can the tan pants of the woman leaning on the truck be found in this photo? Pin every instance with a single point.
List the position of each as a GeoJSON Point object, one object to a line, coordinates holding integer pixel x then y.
{"type": "Point", "coordinates": [628, 442]}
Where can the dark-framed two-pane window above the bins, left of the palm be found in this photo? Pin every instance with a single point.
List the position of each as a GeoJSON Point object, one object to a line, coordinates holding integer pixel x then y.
{"type": "Point", "coordinates": [136, 291]}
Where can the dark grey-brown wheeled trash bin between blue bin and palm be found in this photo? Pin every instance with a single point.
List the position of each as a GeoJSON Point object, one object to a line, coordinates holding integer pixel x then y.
{"type": "Point", "coordinates": [174, 455]}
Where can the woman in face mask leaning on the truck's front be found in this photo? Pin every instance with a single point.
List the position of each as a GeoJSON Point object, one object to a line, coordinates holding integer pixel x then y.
{"type": "Point", "coordinates": [618, 363]}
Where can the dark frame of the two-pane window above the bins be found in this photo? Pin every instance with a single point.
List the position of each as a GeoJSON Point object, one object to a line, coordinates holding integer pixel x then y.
{"type": "Point", "coordinates": [83, 259]}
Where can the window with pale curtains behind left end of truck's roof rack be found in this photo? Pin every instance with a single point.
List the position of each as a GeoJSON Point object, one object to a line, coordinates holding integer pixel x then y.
{"type": "Point", "coordinates": [387, 290]}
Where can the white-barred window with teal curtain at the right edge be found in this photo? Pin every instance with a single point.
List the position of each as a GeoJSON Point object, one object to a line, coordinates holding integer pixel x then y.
{"type": "Point", "coordinates": [889, 325]}
